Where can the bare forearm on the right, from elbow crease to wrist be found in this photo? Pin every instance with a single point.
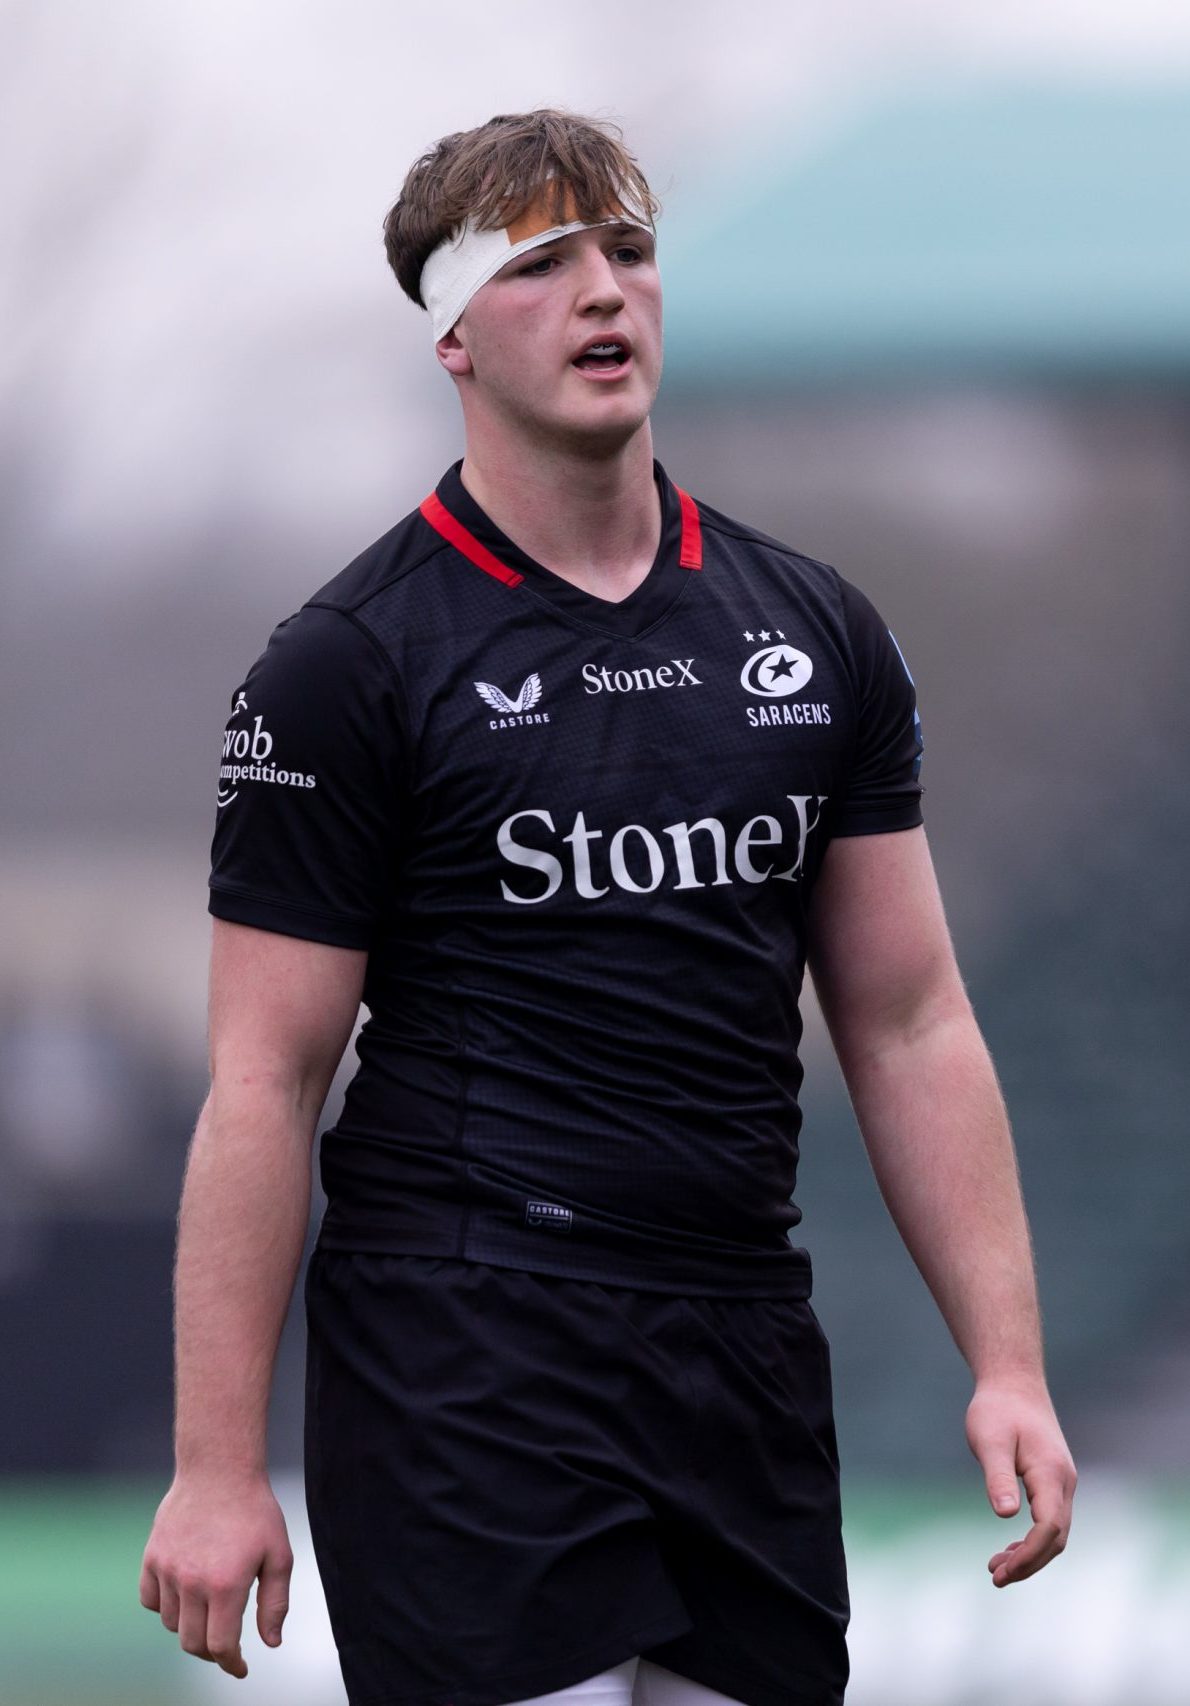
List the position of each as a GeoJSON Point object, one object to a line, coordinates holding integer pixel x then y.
{"type": "Point", "coordinates": [937, 1132]}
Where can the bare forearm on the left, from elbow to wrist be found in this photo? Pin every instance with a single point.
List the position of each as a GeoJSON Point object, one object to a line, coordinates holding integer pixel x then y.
{"type": "Point", "coordinates": [243, 1224]}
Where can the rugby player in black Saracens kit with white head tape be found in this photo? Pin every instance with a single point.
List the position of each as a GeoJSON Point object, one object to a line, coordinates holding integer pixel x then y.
{"type": "Point", "coordinates": [567, 779]}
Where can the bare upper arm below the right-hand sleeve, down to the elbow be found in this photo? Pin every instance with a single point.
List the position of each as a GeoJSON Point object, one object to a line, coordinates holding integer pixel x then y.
{"type": "Point", "coordinates": [881, 953]}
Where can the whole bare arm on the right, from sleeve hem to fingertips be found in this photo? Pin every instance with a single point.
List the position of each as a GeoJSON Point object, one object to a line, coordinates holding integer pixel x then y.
{"type": "Point", "coordinates": [935, 1127]}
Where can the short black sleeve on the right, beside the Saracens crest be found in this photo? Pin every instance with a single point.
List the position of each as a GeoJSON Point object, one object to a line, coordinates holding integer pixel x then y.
{"type": "Point", "coordinates": [884, 789]}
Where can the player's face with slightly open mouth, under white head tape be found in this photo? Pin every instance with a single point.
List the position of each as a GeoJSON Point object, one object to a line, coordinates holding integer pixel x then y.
{"type": "Point", "coordinates": [521, 351]}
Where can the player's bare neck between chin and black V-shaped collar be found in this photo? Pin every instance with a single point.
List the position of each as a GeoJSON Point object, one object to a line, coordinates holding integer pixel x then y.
{"type": "Point", "coordinates": [598, 523]}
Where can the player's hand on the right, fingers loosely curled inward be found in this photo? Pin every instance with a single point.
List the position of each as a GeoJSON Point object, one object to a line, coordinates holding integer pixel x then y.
{"type": "Point", "coordinates": [1014, 1432]}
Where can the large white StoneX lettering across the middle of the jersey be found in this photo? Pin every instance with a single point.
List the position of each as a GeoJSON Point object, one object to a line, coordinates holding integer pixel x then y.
{"type": "Point", "coordinates": [691, 856]}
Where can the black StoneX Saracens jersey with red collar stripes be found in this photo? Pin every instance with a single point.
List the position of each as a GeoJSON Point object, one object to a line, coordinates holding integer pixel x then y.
{"type": "Point", "coordinates": [579, 842]}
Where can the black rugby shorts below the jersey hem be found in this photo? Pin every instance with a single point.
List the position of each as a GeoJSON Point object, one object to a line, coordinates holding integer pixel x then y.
{"type": "Point", "coordinates": [517, 1482]}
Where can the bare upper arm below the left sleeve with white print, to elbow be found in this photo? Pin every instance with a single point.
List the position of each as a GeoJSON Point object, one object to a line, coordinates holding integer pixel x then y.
{"type": "Point", "coordinates": [282, 1011]}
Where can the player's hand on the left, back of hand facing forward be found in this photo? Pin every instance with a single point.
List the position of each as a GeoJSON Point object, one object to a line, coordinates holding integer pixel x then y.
{"type": "Point", "coordinates": [211, 1541]}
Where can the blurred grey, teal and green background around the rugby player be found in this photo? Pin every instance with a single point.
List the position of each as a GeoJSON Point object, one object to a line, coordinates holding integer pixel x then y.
{"type": "Point", "coordinates": [928, 318]}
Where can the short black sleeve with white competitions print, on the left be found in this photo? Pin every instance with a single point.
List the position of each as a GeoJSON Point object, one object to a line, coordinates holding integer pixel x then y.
{"type": "Point", "coordinates": [311, 779]}
